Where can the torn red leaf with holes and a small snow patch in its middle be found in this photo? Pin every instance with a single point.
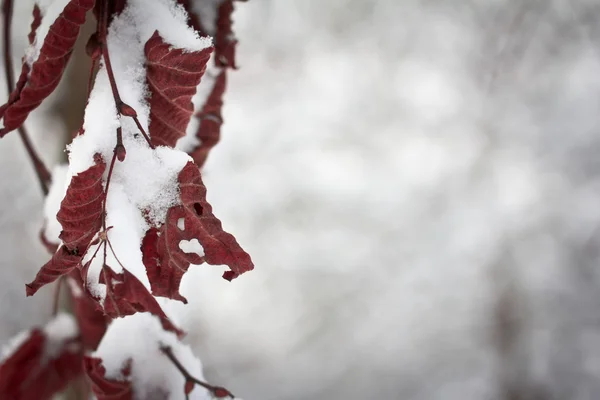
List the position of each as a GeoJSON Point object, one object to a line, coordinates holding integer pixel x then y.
{"type": "Point", "coordinates": [166, 263]}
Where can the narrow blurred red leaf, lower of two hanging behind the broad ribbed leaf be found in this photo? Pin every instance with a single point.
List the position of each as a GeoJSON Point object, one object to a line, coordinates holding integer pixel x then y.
{"type": "Point", "coordinates": [209, 130]}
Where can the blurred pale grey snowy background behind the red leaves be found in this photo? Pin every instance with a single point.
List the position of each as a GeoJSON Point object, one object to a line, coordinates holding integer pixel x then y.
{"type": "Point", "coordinates": [418, 184]}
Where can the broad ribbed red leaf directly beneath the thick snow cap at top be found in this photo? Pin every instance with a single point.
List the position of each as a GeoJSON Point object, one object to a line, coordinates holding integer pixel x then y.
{"type": "Point", "coordinates": [172, 75]}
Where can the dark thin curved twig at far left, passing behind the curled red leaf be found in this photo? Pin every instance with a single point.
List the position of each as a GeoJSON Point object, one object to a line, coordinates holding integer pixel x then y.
{"type": "Point", "coordinates": [43, 175]}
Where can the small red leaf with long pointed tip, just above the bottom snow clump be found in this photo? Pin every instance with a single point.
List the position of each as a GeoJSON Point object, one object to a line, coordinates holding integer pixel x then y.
{"type": "Point", "coordinates": [126, 295]}
